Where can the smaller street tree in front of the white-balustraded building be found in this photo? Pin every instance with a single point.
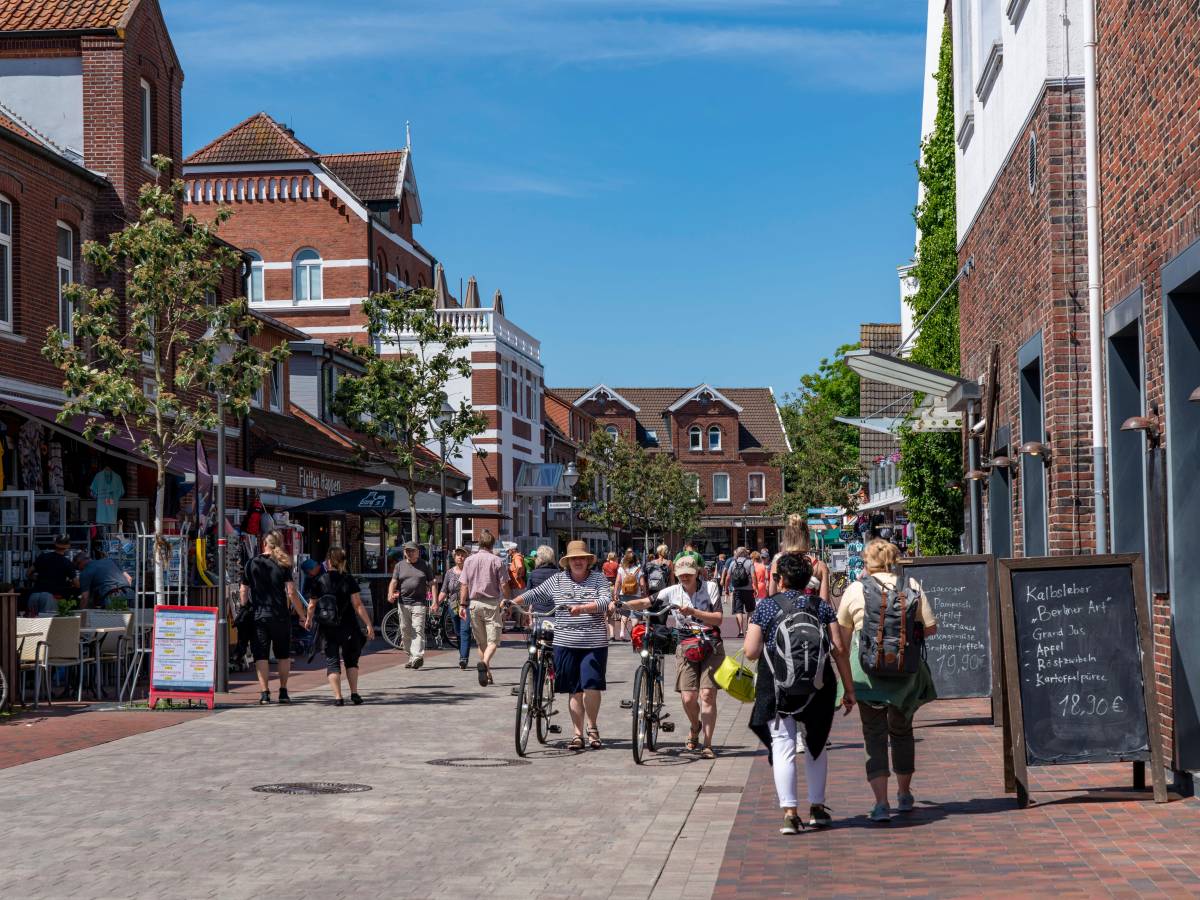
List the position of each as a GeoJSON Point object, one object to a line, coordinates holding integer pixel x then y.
{"type": "Point", "coordinates": [399, 399]}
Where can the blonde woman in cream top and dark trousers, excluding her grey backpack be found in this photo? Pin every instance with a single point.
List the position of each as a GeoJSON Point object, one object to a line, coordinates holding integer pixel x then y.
{"type": "Point", "coordinates": [886, 705]}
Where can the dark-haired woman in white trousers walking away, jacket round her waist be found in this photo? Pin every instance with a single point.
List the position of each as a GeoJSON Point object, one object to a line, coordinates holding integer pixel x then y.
{"type": "Point", "coordinates": [803, 730]}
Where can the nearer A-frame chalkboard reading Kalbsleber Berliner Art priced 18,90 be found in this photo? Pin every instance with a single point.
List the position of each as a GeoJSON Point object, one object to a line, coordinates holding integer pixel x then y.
{"type": "Point", "coordinates": [1079, 665]}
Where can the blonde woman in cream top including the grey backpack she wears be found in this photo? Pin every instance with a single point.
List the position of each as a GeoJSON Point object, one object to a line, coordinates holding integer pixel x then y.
{"type": "Point", "coordinates": [891, 687]}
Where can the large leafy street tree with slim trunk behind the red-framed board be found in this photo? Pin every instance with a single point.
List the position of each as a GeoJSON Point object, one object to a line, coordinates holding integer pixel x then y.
{"type": "Point", "coordinates": [148, 362]}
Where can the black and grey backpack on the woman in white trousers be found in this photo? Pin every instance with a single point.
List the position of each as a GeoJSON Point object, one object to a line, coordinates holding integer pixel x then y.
{"type": "Point", "coordinates": [802, 651]}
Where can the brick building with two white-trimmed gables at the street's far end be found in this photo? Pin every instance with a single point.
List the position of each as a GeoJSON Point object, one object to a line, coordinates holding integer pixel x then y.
{"type": "Point", "coordinates": [727, 437]}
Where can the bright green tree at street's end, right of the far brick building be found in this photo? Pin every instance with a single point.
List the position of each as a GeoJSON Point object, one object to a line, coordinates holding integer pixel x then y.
{"type": "Point", "coordinates": [823, 466]}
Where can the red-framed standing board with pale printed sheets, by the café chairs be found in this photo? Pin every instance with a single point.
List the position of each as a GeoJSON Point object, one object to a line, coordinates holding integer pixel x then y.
{"type": "Point", "coordinates": [183, 661]}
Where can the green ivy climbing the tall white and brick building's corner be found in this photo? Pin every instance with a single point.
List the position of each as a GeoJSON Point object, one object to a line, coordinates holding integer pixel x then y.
{"type": "Point", "coordinates": [932, 465]}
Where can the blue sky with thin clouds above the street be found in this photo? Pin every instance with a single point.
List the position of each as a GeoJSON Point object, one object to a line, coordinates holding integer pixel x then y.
{"type": "Point", "coordinates": [667, 191]}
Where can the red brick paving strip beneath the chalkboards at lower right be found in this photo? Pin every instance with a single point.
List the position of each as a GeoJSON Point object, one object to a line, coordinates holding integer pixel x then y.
{"type": "Point", "coordinates": [1089, 833]}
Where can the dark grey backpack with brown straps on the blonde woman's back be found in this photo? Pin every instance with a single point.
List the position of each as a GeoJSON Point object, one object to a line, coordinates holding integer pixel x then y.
{"type": "Point", "coordinates": [892, 643]}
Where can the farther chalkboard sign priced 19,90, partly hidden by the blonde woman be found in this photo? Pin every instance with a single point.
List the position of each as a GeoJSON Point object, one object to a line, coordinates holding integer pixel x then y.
{"type": "Point", "coordinates": [961, 592]}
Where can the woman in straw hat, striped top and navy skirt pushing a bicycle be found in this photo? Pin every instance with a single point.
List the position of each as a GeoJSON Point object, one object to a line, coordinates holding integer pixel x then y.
{"type": "Point", "coordinates": [581, 601]}
